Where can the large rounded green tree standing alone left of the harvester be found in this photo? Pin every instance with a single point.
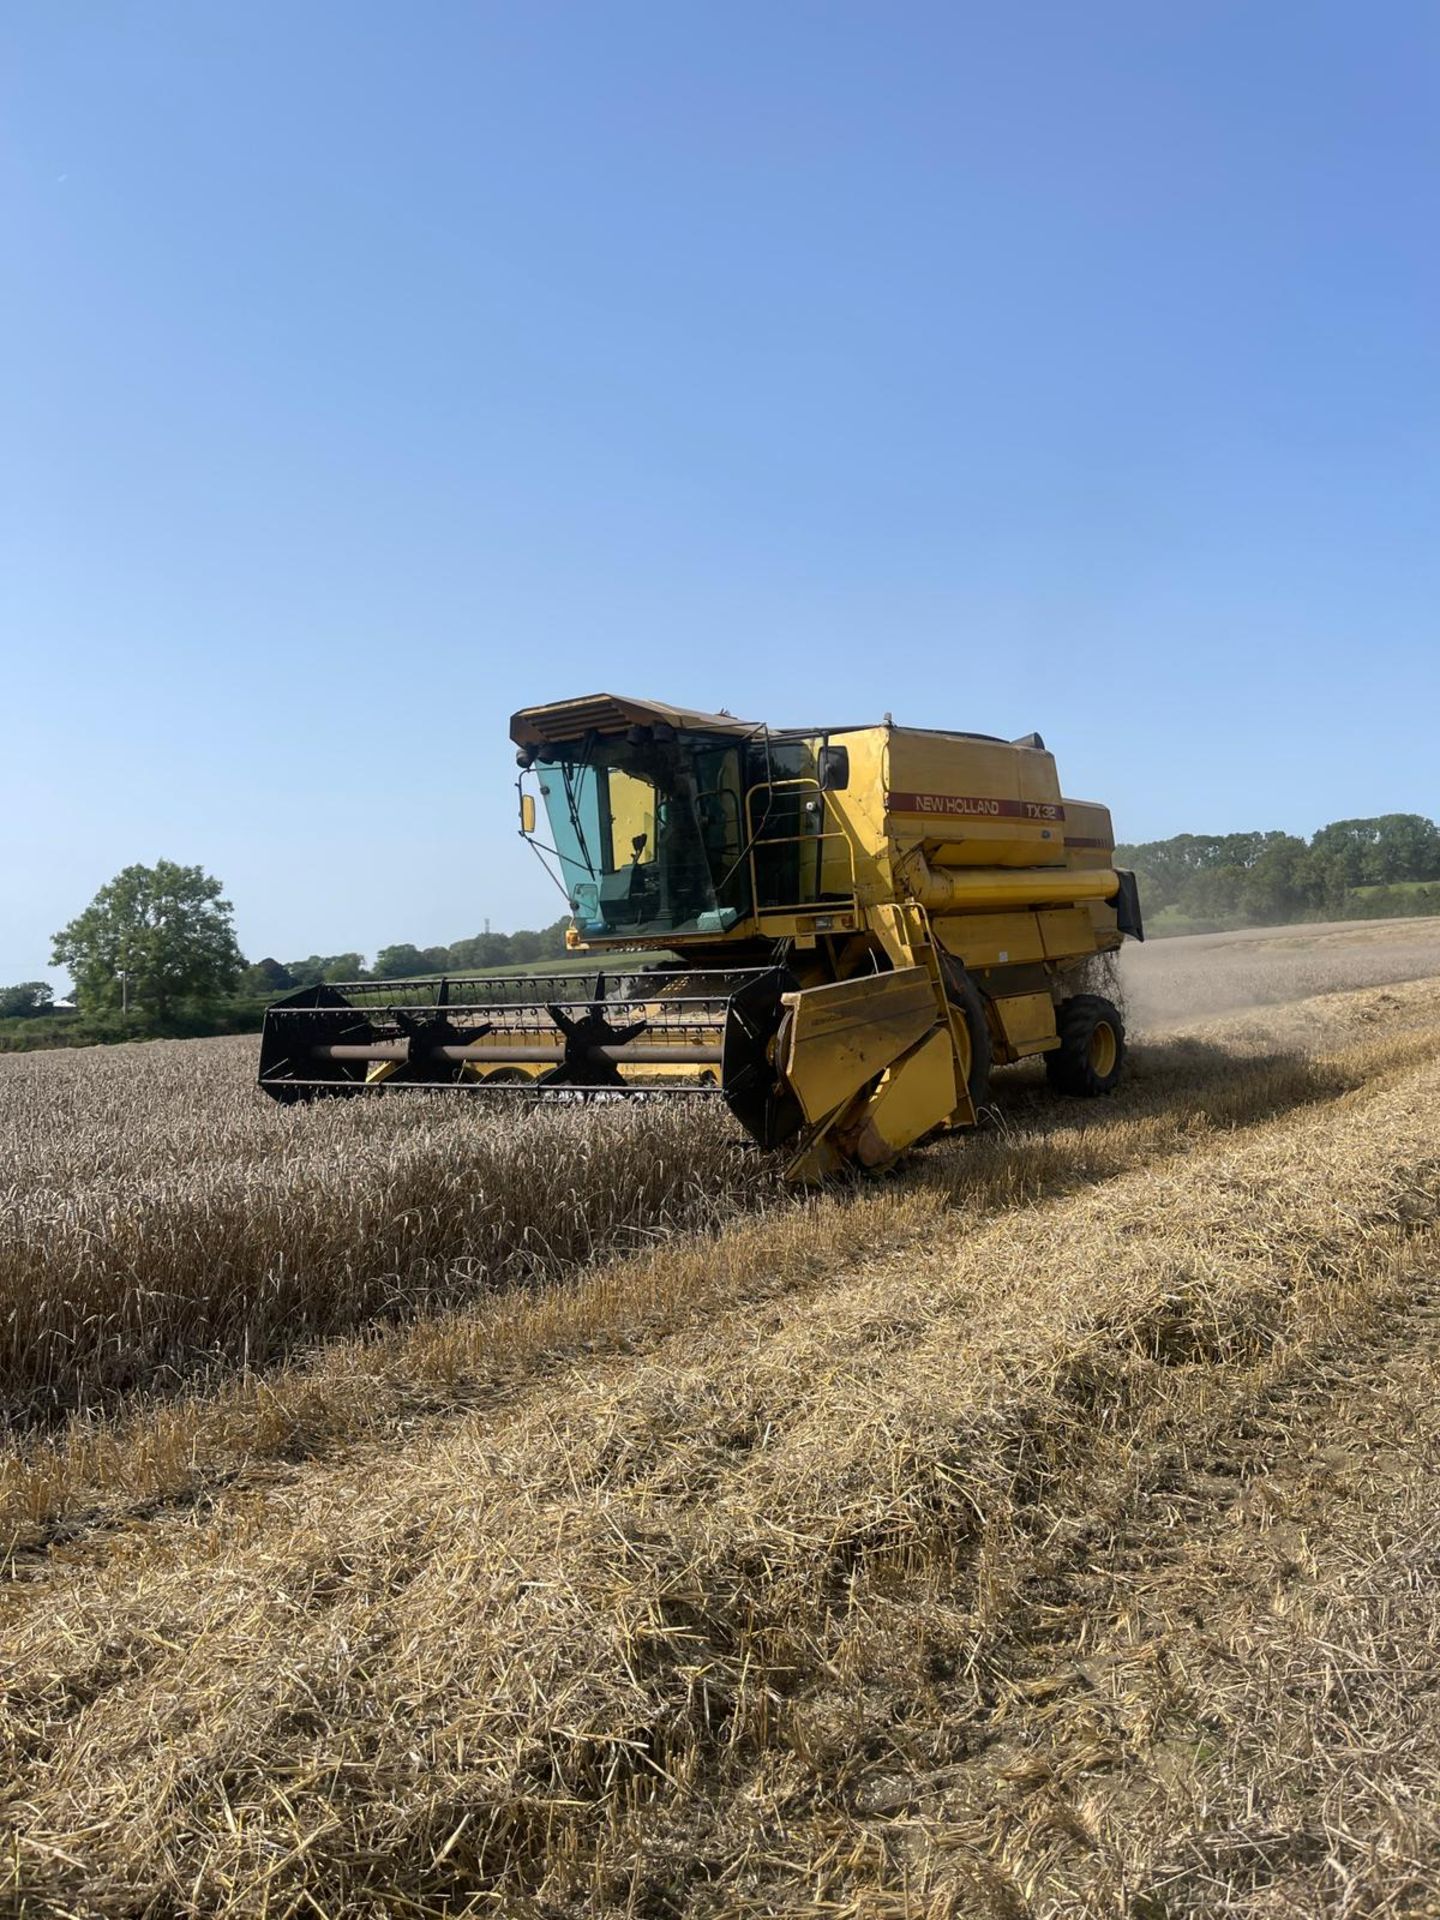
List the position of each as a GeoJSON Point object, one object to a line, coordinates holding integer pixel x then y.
{"type": "Point", "coordinates": [153, 938]}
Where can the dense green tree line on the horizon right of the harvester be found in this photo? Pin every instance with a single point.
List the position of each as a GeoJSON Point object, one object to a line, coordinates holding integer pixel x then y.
{"type": "Point", "coordinates": [1351, 869]}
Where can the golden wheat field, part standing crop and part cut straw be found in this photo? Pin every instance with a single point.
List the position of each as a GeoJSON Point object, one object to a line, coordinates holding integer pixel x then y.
{"type": "Point", "coordinates": [427, 1512]}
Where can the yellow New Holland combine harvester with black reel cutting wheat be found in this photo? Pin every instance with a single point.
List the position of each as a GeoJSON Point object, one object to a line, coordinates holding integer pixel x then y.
{"type": "Point", "coordinates": [861, 924]}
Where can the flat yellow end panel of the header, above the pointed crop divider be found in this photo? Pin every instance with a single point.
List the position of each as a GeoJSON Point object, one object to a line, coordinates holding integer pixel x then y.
{"type": "Point", "coordinates": [846, 1034]}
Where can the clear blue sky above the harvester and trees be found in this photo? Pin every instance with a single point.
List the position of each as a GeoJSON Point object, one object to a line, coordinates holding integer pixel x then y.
{"type": "Point", "coordinates": [373, 372]}
